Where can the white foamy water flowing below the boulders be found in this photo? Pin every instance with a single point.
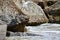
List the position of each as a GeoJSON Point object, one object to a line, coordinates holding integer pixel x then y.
{"type": "Point", "coordinates": [46, 31]}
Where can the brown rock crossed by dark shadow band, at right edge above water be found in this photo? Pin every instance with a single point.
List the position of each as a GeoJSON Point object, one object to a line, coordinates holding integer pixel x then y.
{"type": "Point", "coordinates": [53, 12]}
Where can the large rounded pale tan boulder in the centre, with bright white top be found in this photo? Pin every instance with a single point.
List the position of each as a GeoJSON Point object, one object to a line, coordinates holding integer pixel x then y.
{"type": "Point", "coordinates": [33, 11]}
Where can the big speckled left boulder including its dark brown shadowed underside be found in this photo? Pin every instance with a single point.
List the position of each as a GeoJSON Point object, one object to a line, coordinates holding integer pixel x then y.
{"type": "Point", "coordinates": [12, 16]}
